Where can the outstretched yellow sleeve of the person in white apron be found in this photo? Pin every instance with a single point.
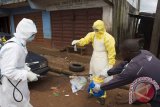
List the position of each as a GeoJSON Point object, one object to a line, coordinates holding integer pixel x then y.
{"type": "Point", "coordinates": [86, 40]}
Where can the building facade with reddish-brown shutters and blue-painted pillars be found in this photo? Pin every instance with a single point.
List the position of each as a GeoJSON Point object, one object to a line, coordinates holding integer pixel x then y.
{"type": "Point", "coordinates": [60, 21]}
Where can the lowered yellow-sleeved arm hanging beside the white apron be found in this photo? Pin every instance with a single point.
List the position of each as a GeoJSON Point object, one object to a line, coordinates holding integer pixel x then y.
{"type": "Point", "coordinates": [110, 48]}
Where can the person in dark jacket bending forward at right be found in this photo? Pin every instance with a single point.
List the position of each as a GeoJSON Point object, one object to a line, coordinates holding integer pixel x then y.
{"type": "Point", "coordinates": [142, 69]}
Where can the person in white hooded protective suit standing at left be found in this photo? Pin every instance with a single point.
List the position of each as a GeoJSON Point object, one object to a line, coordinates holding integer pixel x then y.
{"type": "Point", "coordinates": [15, 73]}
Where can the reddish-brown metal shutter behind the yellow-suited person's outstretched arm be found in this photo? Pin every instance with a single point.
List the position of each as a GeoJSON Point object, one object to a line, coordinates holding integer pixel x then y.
{"type": "Point", "coordinates": [68, 25]}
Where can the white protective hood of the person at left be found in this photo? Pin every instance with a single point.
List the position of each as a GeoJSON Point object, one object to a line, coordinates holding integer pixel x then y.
{"type": "Point", "coordinates": [25, 29]}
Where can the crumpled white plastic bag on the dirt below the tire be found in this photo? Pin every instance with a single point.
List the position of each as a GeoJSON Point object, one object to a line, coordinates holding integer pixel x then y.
{"type": "Point", "coordinates": [78, 83]}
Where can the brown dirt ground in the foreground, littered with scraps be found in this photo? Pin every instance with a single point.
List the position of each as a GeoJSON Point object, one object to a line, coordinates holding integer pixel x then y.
{"type": "Point", "coordinates": [43, 96]}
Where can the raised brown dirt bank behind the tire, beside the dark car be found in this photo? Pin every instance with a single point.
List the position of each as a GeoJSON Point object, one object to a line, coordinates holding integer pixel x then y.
{"type": "Point", "coordinates": [61, 60]}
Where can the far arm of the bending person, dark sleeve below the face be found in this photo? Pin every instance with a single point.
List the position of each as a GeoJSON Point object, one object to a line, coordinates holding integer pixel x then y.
{"type": "Point", "coordinates": [117, 69]}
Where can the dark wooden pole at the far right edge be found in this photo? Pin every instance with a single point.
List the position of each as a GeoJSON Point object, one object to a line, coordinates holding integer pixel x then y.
{"type": "Point", "coordinates": [156, 32]}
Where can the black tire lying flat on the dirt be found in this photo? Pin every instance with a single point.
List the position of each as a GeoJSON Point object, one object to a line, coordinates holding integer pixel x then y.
{"type": "Point", "coordinates": [76, 67]}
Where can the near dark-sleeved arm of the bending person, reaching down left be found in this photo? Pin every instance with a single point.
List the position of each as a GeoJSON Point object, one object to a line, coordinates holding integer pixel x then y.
{"type": "Point", "coordinates": [125, 77]}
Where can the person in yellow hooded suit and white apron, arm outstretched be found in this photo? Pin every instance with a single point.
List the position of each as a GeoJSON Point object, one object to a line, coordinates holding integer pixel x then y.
{"type": "Point", "coordinates": [103, 57]}
